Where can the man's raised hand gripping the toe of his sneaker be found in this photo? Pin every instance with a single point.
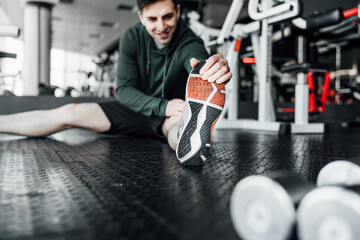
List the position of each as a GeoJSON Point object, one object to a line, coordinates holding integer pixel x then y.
{"type": "Point", "coordinates": [216, 69]}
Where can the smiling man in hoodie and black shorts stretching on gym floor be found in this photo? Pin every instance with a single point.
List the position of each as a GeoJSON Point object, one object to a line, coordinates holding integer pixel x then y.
{"type": "Point", "coordinates": [155, 59]}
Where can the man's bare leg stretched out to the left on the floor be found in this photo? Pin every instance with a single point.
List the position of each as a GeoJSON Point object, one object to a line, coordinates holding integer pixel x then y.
{"type": "Point", "coordinates": [44, 122]}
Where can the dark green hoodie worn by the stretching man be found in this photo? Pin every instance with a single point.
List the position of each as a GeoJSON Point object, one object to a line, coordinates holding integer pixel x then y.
{"type": "Point", "coordinates": [148, 77]}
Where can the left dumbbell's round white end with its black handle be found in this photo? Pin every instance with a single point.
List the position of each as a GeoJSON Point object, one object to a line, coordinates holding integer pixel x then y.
{"type": "Point", "coordinates": [263, 206]}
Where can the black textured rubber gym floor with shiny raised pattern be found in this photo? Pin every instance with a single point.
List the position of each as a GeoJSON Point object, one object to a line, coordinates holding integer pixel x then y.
{"type": "Point", "coordinates": [81, 185]}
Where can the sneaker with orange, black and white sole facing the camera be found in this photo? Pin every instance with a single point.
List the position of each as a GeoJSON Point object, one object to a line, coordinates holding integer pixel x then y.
{"type": "Point", "coordinates": [204, 102]}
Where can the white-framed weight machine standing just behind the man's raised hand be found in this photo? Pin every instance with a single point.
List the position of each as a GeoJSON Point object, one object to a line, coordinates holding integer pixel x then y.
{"type": "Point", "coordinates": [260, 32]}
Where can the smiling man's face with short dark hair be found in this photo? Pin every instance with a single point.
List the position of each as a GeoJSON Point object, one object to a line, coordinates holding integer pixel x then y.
{"type": "Point", "coordinates": [160, 20]}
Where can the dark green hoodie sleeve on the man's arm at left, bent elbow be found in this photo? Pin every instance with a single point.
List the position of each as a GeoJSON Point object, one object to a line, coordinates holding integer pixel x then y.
{"type": "Point", "coordinates": [128, 78]}
